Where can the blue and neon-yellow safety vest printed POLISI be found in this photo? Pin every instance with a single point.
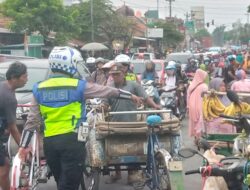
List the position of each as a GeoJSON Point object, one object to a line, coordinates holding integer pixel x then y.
{"type": "Point", "coordinates": [61, 103]}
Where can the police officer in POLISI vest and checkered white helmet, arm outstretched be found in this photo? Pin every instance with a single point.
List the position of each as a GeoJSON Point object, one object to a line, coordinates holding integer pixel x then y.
{"type": "Point", "coordinates": [59, 103]}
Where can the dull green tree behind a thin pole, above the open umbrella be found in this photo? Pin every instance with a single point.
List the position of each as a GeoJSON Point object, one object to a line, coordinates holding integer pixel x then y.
{"type": "Point", "coordinates": [108, 24]}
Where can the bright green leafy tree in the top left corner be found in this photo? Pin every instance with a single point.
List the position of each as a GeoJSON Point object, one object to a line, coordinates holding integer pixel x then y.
{"type": "Point", "coordinates": [44, 16]}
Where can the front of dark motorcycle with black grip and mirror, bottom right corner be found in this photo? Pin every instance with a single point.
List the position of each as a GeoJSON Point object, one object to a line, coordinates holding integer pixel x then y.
{"type": "Point", "coordinates": [234, 170]}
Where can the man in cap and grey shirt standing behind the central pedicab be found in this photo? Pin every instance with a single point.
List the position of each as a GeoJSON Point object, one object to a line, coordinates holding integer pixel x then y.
{"type": "Point", "coordinates": [119, 81]}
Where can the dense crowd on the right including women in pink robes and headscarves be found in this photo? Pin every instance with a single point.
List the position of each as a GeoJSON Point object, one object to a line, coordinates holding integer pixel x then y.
{"type": "Point", "coordinates": [221, 73]}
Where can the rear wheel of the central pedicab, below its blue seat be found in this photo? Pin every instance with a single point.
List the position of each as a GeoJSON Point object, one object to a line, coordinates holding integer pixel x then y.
{"type": "Point", "coordinates": [162, 172]}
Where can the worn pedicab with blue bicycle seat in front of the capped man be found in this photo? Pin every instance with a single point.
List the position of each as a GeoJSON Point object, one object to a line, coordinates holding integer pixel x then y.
{"type": "Point", "coordinates": [151, 146]}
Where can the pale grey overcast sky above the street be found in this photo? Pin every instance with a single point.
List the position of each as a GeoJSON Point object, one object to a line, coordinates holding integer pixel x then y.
{"type": "Point", "coordinates": [222, 11]}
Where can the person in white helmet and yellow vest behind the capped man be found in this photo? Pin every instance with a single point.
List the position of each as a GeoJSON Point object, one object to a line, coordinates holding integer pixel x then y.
{"type": "Point", "coordinates": [125, 61]}
